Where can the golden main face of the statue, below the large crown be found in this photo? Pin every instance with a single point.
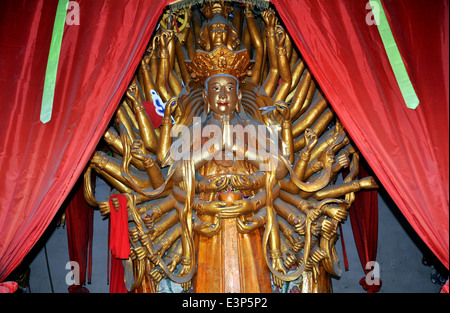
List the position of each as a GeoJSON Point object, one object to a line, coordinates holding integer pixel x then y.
{"type": "Point", "coordinates": [222, 94]}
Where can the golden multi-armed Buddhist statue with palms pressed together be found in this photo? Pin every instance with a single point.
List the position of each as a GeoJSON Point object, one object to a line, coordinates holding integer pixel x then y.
{"type": "Point", "coordinates": [235, 189]}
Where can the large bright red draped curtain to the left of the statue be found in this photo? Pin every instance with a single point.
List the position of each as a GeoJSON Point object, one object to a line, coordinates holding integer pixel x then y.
{"type": "Point", "coordinates": [41, 163]}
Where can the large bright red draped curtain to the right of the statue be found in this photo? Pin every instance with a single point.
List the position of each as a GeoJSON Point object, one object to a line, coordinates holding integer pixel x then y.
{"type": "Point", "coordinates": [407, 149]}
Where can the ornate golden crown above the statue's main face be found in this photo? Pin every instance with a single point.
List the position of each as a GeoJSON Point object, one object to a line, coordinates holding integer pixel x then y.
{"type": "Point", "coordinates": [219, 61]}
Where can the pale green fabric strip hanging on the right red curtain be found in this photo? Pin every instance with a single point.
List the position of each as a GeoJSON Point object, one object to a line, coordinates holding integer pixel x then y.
{"type": "Point", "coordinates": [401, 75]}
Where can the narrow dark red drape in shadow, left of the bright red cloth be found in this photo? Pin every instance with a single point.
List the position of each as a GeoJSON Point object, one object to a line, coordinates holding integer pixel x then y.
{"type": "Point", "coordinates": [79, 223]}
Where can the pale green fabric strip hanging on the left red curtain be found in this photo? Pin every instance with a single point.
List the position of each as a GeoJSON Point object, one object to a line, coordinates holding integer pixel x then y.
{"type": "Point", "coordinates": [52, 63]}
